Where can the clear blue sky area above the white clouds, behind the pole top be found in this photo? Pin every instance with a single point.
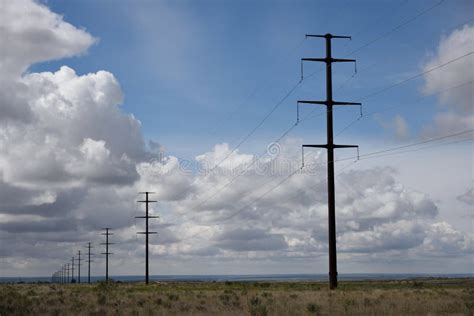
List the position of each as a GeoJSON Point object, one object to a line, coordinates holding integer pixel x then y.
{"type": "Point", "coordinates": [186, 66]}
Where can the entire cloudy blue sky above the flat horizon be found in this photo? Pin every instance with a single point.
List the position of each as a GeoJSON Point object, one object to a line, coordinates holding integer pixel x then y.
{"type": "Point", "coordinates": [196, 101]}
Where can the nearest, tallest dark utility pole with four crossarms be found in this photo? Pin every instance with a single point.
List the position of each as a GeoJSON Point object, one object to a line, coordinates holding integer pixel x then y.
{"type": "Point", "coordinates": [330, 146]}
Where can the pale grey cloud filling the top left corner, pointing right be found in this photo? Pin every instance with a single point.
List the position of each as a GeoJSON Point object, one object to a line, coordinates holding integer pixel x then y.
{"type": "Point", "coordinates": [35, 34]}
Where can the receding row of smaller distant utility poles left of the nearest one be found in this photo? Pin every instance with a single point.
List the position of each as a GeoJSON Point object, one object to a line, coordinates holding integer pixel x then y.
{"type": "Point", "coordinates": [66, 273]}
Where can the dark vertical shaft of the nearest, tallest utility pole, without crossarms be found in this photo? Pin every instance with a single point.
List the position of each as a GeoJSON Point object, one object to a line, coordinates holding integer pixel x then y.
{"type": "Point", "coordinates": [330, 171]}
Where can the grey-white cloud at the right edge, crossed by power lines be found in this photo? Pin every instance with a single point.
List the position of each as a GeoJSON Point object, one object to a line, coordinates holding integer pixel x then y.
{"type": "Point", "coordinates": [458, 107]}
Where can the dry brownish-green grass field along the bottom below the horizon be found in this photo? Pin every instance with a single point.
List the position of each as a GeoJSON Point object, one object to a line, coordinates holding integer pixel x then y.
{"type": "Point", "coordinates": [420, 297]}
